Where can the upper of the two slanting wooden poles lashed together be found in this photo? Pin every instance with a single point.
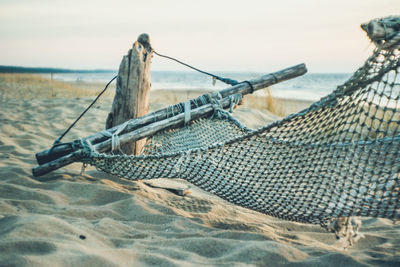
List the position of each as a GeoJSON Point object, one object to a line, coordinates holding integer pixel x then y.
{"type": "Point", "coordinates": [243, 88]}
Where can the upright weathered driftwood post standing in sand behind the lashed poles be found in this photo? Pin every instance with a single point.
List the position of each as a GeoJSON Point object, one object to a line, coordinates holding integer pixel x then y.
{"type": "Point", "coordinates": [132, 90]}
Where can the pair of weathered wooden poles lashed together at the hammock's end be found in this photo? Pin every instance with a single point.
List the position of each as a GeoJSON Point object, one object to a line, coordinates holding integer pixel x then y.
{"type": "Point", "coordinates": [139, 128]}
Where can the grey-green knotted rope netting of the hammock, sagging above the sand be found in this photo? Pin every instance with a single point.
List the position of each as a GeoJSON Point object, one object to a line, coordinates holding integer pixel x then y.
{"type": "Point", "coordinates": [337, 158]}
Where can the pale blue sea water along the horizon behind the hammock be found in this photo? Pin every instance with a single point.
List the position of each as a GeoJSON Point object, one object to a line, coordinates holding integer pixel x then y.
{"type": "Point", "coordinates": [311, 86]}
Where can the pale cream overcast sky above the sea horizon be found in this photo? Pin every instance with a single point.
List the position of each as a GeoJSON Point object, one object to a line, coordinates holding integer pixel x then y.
{"type": "Point", "coordinates": [227, 35]}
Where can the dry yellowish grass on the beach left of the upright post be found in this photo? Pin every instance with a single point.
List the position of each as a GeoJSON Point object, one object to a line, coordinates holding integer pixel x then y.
{"type": "Point", "coordinates": [30, 86]}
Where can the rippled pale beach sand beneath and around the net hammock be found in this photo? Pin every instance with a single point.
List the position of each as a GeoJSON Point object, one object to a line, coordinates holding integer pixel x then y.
{"type": "Point", "coordinates": [68, 219]}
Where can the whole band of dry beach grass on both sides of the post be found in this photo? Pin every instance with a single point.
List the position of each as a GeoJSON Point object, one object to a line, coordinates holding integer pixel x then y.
{"type": "Point", "coordinates": [34, 86]}
